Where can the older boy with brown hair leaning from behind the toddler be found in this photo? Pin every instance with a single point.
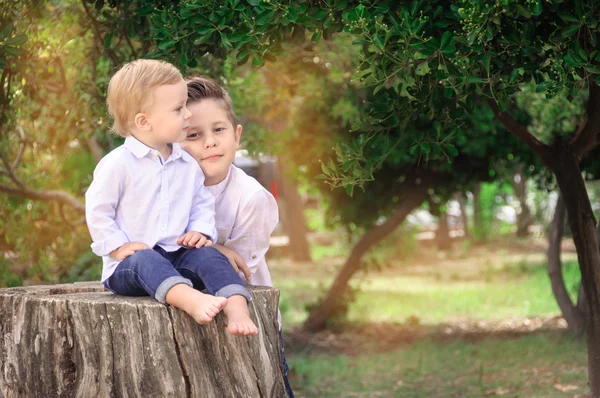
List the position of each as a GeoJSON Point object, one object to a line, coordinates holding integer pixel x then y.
{"type": "Point", "coordinates": [246, 213]}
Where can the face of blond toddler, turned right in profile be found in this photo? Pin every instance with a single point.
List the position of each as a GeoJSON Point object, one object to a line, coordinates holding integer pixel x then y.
{"type": "Point", "coordinates": [167, 118]}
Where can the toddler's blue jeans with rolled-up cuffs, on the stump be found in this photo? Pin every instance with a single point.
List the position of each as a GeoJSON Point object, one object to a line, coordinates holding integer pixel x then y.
{"type": "Point", "coordinates": [154, 272]}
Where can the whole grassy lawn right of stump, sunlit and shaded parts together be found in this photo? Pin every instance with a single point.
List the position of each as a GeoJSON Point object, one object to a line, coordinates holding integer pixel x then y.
{"type": "Point", "coordinates": [488, 285]}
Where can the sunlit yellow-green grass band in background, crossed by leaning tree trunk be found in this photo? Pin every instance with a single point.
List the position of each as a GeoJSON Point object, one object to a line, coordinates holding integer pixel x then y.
{"type": "Point", "coordinates": [515, 290]}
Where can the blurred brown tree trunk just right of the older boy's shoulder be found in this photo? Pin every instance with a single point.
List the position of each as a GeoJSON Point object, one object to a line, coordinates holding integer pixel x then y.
{"type": "Point", "coordinates": [293, 216]}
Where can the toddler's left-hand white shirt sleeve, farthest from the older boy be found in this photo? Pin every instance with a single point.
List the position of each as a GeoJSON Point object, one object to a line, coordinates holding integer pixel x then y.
{"type": "Point", "coordinates": [101, 201]}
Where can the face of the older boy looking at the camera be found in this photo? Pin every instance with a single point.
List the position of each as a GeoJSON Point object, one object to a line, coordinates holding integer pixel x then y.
{"type": "Point", "coordinates": [212, 140]}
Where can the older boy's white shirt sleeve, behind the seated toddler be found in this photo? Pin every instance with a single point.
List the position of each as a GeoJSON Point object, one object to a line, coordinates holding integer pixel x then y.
{"type": "Point", "coordinates": [251, 233]}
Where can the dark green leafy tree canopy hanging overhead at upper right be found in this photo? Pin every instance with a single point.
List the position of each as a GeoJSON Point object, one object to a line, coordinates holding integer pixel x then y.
{"type": "Point", "coordinates": [427, 63]}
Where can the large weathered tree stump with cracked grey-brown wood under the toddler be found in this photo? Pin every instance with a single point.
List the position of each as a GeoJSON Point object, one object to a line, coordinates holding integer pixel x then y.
{"type": "Point", "coordinates": [78, 340]}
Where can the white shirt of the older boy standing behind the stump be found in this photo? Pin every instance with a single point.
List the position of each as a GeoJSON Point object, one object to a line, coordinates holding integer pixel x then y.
{"type": "Point", "coordinates": [246, 215]}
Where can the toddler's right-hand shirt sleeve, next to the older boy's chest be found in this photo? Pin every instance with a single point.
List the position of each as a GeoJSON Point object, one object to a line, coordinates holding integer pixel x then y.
{"type": "Point", "coordinates": [202, 213]}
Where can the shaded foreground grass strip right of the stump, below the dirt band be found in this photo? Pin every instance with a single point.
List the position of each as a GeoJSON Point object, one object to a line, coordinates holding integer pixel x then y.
{"type": "Point", "coordinates": [526, 367]}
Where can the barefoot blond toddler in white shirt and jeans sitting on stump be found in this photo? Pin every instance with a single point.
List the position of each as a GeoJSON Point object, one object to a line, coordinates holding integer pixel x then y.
{"type": "Point", "coordinates": [141, 210]}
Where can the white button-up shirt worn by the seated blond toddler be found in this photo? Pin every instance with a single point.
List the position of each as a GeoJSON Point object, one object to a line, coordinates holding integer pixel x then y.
{"type": "Point", "coordinates": [136, 196]}
